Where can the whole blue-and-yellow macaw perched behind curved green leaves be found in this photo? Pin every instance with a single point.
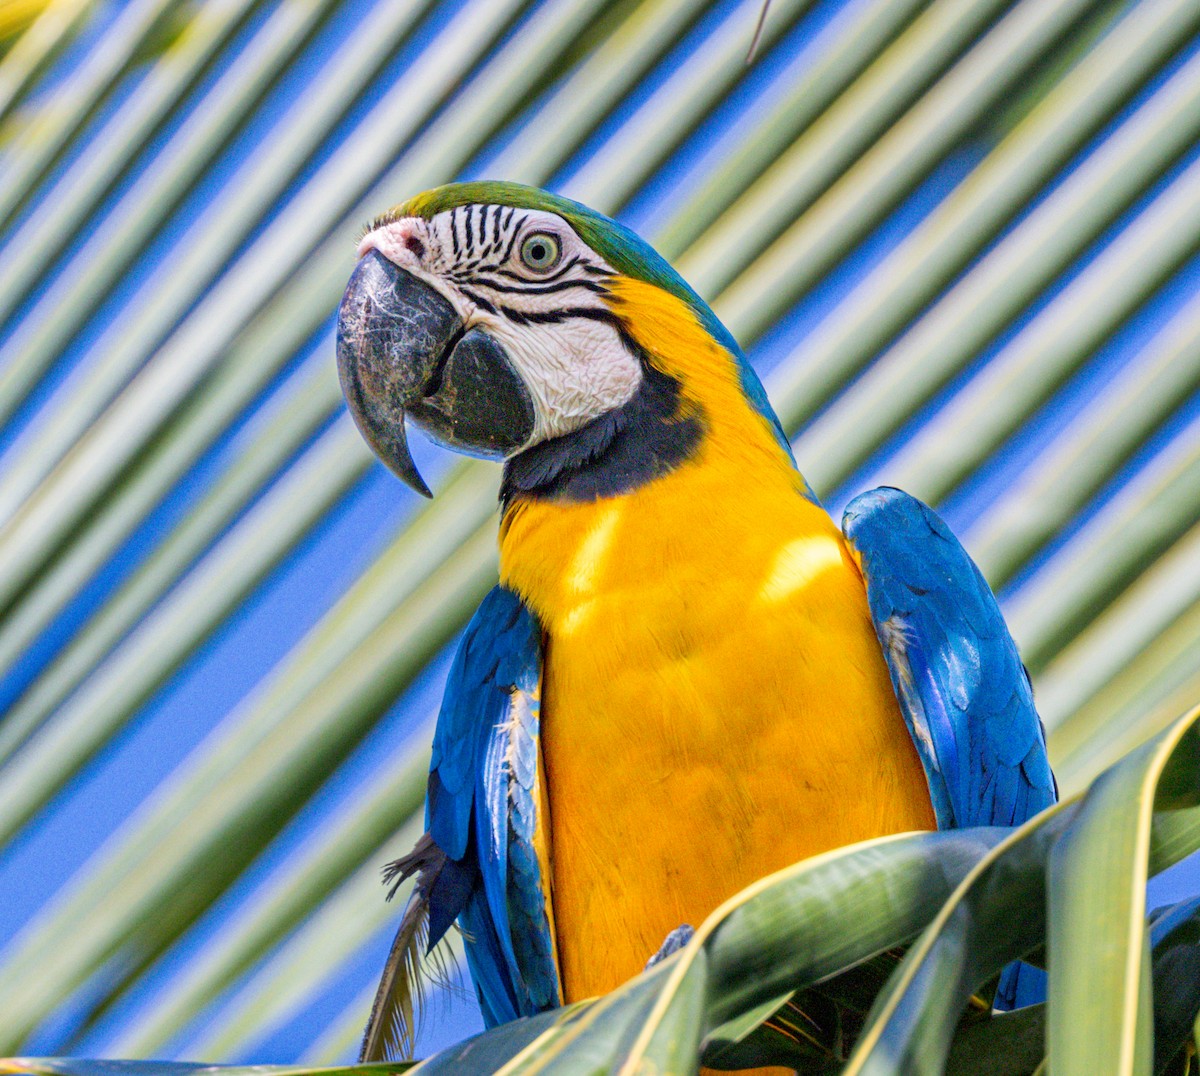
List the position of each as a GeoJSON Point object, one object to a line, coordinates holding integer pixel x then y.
{"type": "Point", "coordinates": [688, 677]}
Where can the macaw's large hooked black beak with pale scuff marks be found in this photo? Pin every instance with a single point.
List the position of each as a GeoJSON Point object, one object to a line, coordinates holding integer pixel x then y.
{"type": "Point", "coordinates": [403, 348]}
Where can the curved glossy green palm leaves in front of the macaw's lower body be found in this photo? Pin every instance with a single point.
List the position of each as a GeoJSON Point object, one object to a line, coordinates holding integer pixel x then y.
{"type": "Point", "coordinates": [977, 898]}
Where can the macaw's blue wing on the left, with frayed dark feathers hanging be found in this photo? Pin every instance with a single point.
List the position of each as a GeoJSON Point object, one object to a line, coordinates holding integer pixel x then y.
{"type": "Point", "coordinates": [478, 862]}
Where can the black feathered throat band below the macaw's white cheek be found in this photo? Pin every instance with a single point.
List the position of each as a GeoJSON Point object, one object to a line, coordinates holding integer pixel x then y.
{"type": "Point", "coordinates": [645, 438]}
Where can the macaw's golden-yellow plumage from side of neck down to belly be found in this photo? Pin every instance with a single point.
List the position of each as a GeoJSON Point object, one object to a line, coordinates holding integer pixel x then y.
{"type": "Point", "coordinates": [716, 704]}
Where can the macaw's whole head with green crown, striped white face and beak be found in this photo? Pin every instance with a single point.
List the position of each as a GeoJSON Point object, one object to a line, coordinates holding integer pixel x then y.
{"type": "Point", "coordinates": [513, 323]}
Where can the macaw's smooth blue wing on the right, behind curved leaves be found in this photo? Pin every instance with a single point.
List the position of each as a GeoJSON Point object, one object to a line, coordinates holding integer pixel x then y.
{"type": "Point", "coordinates": [961, 683]}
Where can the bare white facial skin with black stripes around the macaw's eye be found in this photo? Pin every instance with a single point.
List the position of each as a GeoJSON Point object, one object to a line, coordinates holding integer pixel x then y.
{"type": "Point", "coordinates": [527, 279]}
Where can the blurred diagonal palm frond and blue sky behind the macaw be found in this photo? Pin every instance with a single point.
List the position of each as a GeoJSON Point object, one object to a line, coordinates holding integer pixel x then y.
{"type": "Point", "coordinates": [958, 238]}
